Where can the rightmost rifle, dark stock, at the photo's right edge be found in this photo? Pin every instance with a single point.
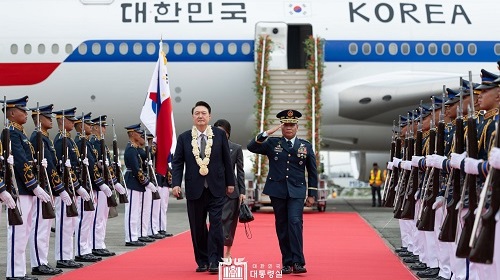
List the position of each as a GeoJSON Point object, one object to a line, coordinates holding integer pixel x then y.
{"type": "Point", "coordinates": [483, 245]}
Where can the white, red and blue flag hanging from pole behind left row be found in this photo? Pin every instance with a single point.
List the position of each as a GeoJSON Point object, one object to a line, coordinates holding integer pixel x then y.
{"type": "Point", "coordinates": [157, 114]}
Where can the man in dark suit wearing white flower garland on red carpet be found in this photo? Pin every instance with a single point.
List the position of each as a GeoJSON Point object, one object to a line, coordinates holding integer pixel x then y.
{"type": "Point", "coordinates": [205, 153]}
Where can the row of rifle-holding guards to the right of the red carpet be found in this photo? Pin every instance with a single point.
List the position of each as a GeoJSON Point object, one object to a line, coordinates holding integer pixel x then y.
{"type": "Point", "coordinates": [444, 182]}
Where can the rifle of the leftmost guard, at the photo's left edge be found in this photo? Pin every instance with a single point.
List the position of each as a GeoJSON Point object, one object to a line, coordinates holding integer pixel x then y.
{"type": "Point", "coordinates": [14, 215]}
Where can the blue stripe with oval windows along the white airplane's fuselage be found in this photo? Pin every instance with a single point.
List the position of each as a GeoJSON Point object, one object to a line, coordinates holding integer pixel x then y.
{"type": "Point", "coordinates": [242, 51]}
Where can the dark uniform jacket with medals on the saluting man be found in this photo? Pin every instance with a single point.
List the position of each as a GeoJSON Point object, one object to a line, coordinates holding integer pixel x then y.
{"type": "Point", "coordinates": [287, 166]}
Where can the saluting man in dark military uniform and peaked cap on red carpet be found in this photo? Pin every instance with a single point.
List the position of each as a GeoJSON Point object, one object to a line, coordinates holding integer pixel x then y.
{"type": "Point", "coordinates": [289, 157]}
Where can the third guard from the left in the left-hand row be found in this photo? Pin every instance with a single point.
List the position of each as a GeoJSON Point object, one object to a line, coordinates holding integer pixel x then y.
{"type": "Point", "coordinates": [66, 218]}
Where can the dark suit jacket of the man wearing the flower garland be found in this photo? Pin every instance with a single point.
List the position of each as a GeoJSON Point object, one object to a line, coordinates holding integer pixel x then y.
{"type": "Point", "coordinates": [220, 174]}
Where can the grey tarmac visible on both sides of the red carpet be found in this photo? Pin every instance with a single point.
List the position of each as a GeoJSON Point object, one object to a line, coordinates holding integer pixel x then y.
{"type": "Point", "coordinates": [379, 218]}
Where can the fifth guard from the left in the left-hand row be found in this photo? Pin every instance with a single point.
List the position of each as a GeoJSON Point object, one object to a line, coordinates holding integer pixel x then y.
{"type": "Point", "coordinates": [102, 209]}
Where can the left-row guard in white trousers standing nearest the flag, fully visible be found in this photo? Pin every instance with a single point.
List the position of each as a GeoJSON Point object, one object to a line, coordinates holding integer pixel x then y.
{"type": "Point", "coordinates": [137, 183]}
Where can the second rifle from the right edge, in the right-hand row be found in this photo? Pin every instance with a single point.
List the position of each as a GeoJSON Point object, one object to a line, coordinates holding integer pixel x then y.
{"type": "Point", "coordinates": [463, 249]}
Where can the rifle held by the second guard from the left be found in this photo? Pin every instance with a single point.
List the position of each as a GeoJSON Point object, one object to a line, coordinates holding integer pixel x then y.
{"type": "Point", "coordinates": [48, 210]}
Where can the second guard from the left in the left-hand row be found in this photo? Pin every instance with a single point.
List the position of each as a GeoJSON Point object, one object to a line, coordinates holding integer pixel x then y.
{"type": "Point", "coordinates": [39, 237]}
